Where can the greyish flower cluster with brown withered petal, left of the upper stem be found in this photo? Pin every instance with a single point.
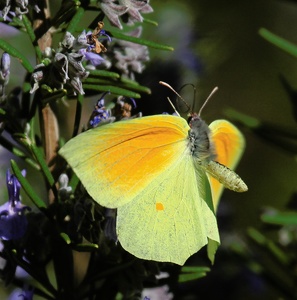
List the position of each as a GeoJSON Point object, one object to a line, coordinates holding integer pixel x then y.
{"type": "Point", "coordinates": [64, 69]}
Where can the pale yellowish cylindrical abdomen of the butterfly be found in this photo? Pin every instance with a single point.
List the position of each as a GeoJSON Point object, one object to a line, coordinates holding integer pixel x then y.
{"type": "Point", "coordinates": [226, 176]}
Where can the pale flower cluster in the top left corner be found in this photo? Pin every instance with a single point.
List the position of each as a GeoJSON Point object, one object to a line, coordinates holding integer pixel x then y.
{"type": "Point", "coordinates": [16, 8]}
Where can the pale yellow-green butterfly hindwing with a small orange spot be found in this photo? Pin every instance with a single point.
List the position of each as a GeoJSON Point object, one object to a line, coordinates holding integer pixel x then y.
{"type": "Point", "coordinates": [183, 224]}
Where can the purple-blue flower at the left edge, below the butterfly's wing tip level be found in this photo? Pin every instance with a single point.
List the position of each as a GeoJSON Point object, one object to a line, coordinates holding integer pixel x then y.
{"type": "Point", "coordinates": [13, 222]}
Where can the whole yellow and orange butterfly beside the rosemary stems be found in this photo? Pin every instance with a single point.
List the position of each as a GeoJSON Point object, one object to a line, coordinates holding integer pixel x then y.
{"type": "Point", "coordinates": [153, 170]}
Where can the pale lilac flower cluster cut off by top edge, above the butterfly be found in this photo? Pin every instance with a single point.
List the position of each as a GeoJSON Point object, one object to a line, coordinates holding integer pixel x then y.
{"type": "Point", "coordinates": [129, 10]}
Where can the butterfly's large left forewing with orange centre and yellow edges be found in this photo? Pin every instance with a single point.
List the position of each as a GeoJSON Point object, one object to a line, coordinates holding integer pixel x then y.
{"type": "Point", "coordinates": [117, 161]}
